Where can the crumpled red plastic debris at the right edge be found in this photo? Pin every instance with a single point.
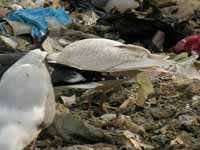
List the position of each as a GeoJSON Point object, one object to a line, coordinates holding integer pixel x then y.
{"type": "Point", "coordinates": [190, 44]}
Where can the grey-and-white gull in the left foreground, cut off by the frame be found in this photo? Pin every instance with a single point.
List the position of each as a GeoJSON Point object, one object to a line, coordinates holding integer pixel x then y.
{"type": "Point", "coordinates": [26, 101]}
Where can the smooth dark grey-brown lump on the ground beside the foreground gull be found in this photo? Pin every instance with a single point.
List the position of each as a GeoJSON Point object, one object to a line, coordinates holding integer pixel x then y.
{"type": "Point", "coordinates": [73, 130]}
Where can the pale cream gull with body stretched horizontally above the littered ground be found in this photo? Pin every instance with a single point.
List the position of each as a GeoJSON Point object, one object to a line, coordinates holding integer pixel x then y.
{"type": "Point", "coordinates": [105, 55]}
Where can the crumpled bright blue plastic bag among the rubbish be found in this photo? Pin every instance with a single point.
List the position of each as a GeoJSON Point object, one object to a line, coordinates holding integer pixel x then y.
{"type": "Point", "coordinates": [36, 18]}
